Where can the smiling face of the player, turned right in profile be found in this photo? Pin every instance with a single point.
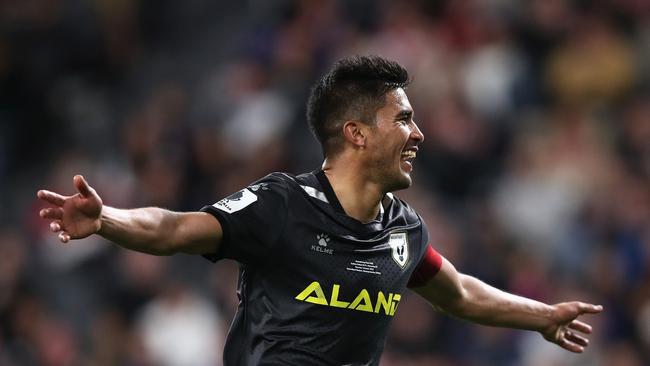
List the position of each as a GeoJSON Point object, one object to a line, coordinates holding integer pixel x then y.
{"type": "Point", "coordinates": [392, 142]}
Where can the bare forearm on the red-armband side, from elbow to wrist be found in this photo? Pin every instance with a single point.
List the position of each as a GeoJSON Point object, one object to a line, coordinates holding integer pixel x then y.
{"type": "Point", "coordinates": [487, 305]}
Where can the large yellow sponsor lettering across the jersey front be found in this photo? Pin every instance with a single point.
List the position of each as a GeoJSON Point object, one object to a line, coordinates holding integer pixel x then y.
{"type": "Point", "coordinates": [383, 303]}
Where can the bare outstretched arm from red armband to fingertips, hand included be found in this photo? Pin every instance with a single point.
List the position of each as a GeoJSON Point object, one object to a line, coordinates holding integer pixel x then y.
{"type": "Point", "coordinates": [468, 298]}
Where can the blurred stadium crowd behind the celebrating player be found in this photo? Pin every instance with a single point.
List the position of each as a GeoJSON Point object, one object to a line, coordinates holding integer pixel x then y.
{"type": "Point", "coordinates": [534, 176]}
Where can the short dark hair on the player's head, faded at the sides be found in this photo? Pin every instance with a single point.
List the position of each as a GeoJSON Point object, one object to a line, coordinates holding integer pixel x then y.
{"type": "Point", "coordinates": [353, 89]}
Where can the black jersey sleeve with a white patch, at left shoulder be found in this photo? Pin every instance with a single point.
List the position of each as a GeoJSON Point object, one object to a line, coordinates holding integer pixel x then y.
{"type": "Point", "coordinates": [252, 220]}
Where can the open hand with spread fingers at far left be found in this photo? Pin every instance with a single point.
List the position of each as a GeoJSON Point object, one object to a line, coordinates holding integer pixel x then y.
{"type": "Point", "coordinates": [76, 216]}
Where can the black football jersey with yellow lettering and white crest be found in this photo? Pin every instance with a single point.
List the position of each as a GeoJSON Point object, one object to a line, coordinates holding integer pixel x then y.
{"type": "Point", "coordinates": [316, 287]}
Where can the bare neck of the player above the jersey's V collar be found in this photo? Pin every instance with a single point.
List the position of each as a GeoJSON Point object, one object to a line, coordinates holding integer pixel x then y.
{"type": "Point", "coordinates": [359, 197]}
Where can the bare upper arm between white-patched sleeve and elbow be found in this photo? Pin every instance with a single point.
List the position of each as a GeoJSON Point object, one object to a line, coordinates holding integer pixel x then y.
{"type": "Point", "coordinates": [197, 233]}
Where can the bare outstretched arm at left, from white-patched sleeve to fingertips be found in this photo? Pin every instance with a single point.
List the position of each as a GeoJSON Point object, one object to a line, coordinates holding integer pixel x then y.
{"type": "Point", "coordinates": [150, 230]}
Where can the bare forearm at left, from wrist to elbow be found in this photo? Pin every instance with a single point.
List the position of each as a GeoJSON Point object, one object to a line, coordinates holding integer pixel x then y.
{"type": "Point", "coordinates": [148, 230]}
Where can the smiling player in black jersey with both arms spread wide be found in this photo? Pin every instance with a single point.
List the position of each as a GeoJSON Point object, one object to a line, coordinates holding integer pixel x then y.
{"type": "Point", "coordinates": [325, 257]}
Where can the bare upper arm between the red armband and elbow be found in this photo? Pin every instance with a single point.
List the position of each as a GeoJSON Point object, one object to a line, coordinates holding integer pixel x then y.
{"type": "Point", "coordinates": [445, 289]}
